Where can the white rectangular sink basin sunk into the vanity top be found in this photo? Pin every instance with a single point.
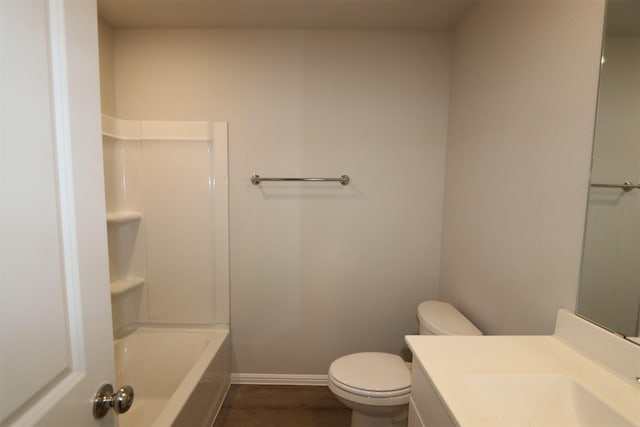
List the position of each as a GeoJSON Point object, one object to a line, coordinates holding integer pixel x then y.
{"type": "Point", "coordinates": [538, 400]}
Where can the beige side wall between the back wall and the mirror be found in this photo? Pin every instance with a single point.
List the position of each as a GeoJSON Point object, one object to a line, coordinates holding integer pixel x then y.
{"type": "Point", "coordinates": [521, 120]}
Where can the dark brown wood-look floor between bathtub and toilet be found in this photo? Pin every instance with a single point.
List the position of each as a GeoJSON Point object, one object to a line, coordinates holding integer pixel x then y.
{"type": "Point", "coordinates": [282, 406]}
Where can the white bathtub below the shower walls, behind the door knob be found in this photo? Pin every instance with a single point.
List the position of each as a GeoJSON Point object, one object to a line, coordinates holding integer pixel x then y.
{"type": "Point", "coordinates": [180, 376]}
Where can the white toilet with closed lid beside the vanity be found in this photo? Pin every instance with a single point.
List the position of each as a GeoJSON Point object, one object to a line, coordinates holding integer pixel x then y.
{"type": "Point", "coordinates": [376, 386]}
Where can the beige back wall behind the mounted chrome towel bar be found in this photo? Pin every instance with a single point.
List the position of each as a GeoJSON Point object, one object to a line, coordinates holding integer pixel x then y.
{"type": "Point", "coordinates": [320, 270]}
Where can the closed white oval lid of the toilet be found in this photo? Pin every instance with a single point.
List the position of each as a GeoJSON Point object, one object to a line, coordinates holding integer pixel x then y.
{"type": "Point", "coordinates": [374, 374]}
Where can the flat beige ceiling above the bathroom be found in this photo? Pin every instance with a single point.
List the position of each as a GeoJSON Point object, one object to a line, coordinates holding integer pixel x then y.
{"type": "Point", "coordinates": [432, 15]}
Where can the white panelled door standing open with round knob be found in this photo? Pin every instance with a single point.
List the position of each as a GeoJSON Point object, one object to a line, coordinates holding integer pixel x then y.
{"type": "Point", "coordinates": [55, 320]}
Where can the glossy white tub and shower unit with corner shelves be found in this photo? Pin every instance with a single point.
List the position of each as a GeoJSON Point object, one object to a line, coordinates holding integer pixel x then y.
{"type": "Point", "coordinates": [168, 233]}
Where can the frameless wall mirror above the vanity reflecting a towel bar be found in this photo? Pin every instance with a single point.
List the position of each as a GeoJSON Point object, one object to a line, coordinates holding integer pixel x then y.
{"type": "Point", "coordinates": [610, 279]}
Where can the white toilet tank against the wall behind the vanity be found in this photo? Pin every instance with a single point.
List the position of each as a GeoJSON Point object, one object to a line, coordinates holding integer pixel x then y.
{"type": "Point", "coordinates": [441, 318]}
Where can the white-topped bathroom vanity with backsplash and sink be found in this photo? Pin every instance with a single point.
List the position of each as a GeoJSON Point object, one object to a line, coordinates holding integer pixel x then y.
{"type": "Point", "coordinates": [582, 376]}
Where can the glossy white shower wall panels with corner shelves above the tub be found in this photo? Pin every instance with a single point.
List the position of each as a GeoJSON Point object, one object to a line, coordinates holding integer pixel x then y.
{"type": "Point", "coordinates": [167, 221]}
